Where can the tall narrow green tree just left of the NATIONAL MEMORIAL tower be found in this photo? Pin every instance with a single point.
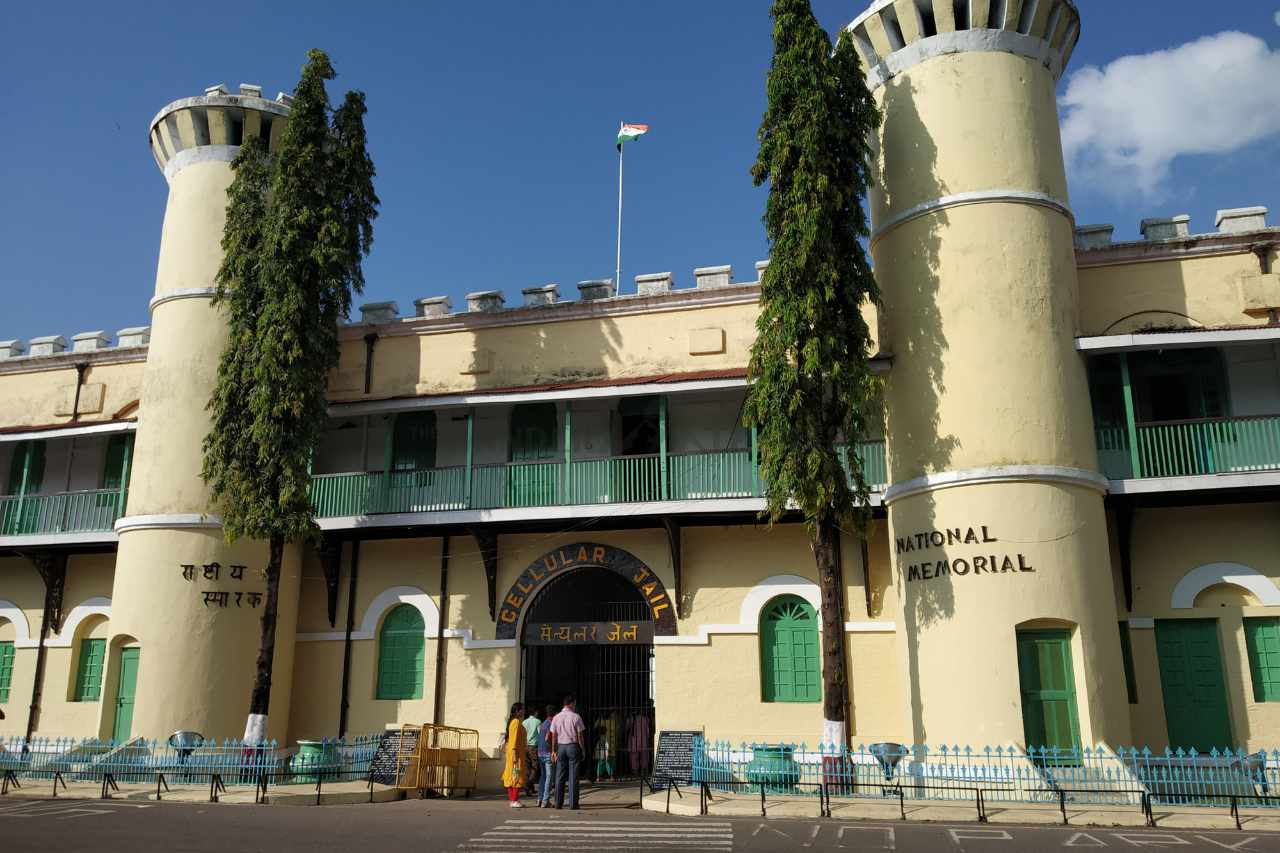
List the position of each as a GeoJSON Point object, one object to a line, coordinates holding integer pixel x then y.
{"type": "Point", "coordinates": [811, 376]}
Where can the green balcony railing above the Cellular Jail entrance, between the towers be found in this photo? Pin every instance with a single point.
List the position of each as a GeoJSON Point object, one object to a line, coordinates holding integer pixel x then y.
{"type": "Point", "coordinates": [616, 480]}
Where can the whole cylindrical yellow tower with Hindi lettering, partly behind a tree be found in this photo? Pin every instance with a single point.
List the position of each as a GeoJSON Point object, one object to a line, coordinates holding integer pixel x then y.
{"type": "Point", "coordinates": [190, 603]}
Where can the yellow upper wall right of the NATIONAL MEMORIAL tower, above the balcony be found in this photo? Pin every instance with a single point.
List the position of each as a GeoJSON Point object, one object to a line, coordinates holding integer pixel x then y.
{"type": "Point", "coordinates": [1177, 293]}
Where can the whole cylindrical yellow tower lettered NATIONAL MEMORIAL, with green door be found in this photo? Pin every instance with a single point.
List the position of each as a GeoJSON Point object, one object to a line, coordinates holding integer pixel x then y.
{"type": "Point", "coordinates": [996, 513]}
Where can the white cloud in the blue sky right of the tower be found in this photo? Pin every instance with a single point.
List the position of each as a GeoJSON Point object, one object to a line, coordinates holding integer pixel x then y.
{"type": "Point", "coordinates": [1126, 124]}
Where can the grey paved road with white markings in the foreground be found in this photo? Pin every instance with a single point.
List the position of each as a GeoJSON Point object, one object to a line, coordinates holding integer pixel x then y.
{"type": "Point", "coordinates": [428, 827]}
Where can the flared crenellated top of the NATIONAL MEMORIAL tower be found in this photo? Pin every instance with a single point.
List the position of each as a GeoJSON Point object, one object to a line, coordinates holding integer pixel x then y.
{"type": "Point", "coordinates": [895, 35]}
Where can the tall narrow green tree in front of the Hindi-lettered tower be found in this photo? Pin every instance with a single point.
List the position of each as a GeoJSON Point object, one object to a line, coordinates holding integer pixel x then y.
{"type": "Point", "coordinates": [299, 226]}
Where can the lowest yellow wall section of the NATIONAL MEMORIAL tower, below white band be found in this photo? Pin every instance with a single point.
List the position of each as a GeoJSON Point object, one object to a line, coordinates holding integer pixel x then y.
{"type": "Point", "coordinates": [959, 633]}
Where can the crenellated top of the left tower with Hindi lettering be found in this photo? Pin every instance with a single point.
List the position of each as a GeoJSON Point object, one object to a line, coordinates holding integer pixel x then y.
{"type": "Point", "coordinates": [212, 126]}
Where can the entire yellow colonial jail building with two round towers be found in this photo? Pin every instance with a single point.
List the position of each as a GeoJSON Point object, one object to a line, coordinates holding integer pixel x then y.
{"type": "Point", "coordinates": [1076, 535]}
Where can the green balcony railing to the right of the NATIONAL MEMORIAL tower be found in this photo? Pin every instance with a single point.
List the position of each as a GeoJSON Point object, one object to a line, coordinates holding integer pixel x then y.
{"type": "Point", "coordinates": [1192, 448]}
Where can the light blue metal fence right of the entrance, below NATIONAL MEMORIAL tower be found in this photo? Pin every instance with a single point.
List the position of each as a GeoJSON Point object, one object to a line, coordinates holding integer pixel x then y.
{"type": "Point", "coordinates": [1003, 774]}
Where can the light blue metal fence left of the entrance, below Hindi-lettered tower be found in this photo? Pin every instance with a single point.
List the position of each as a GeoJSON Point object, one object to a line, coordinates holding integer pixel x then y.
{"type": "Point", "coordinates": [145, 761]}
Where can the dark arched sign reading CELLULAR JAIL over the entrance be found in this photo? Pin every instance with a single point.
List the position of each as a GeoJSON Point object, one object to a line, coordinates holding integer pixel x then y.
{"type": "Point", "coordinates": [588, 555]}
